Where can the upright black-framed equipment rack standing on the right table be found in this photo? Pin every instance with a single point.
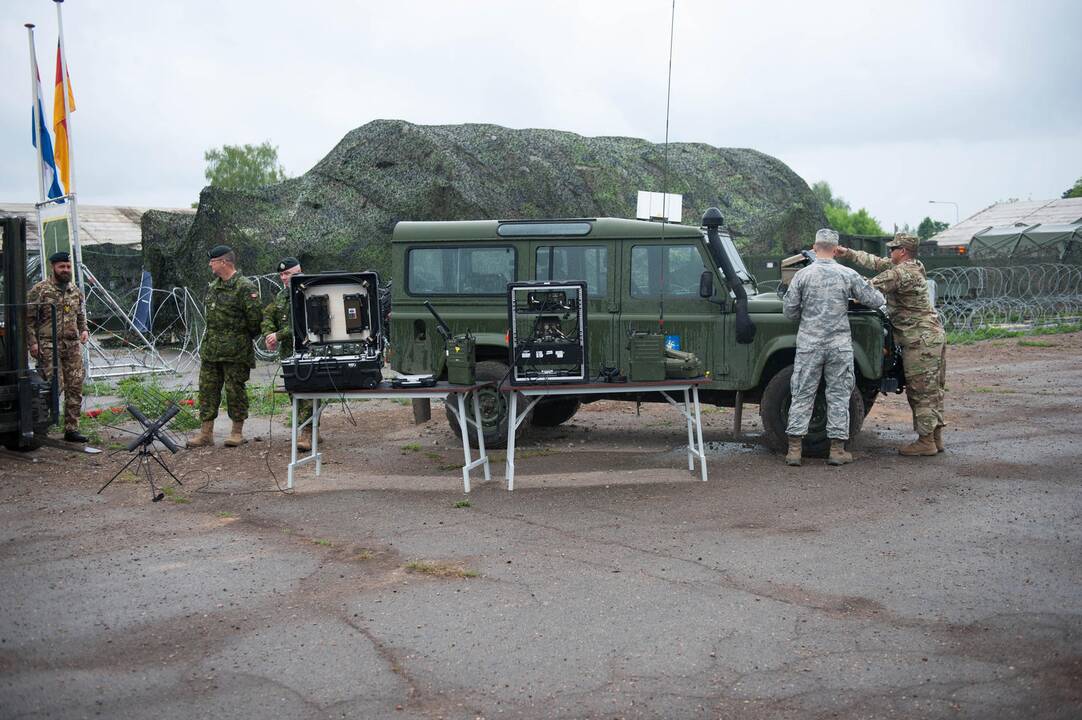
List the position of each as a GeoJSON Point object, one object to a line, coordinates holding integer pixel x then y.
{"type": "Point", "coordinates": [548, 337]}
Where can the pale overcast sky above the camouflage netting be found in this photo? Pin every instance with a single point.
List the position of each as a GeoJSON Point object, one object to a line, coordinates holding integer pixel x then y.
{"type": "Point", "coordinates": [893, 103]}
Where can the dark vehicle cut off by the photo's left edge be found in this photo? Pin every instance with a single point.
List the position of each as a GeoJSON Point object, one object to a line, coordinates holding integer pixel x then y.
{"type": "Point", "coordinates": [29, 404]}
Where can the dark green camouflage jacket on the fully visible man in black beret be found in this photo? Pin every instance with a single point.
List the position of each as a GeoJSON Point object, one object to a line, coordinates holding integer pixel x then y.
{"type": "Point", "coordinates": [233, 321]}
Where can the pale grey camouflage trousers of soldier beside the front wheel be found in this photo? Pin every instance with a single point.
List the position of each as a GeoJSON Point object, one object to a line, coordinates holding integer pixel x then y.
{"type": "Point", "coordinates": [836, 365]}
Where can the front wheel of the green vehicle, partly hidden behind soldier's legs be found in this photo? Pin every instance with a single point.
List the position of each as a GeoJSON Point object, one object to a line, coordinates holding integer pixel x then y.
{"type": "Point", "coordinates": [774, 412]}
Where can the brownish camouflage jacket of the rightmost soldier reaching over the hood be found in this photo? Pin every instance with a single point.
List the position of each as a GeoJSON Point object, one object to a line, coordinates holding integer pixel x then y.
{"type": "Point", "coordinates": [906, 289]}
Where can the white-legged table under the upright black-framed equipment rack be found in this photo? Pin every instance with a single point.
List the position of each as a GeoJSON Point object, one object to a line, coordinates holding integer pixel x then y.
{"type": "Point", "coordinates": [690, 409]}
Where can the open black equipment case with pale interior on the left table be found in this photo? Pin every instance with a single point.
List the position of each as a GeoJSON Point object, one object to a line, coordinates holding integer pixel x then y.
{"type": "Point", "coordinates": [338, 333]}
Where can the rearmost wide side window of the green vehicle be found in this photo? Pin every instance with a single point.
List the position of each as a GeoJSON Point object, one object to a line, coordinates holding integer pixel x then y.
{"type": "Point", "coordinates": [460, 271]}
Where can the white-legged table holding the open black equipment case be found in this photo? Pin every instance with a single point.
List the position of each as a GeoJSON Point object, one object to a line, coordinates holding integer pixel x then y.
{"type": "Point", "coordinates": [386, 392]}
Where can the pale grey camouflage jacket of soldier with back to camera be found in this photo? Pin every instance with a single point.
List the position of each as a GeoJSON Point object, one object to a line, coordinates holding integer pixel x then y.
{"type": "Point", "coordinates": [820, 298]}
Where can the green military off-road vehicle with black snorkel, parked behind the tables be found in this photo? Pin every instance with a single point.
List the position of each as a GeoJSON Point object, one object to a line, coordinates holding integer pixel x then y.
{"type": "Point", "coordinates": [641, 276]}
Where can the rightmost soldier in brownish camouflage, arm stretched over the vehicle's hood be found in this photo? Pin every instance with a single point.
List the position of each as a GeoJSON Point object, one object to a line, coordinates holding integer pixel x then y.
{"type": "Point", "coordinates": [918, 331]}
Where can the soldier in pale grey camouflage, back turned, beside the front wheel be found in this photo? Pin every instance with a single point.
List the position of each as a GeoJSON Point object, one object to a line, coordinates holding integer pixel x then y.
{"type": "Point", "coordinates": [820, 298]}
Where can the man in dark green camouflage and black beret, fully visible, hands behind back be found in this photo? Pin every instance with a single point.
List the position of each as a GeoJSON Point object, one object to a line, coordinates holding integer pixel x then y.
{"type": "Point", "coordinates": [233, 313]}
